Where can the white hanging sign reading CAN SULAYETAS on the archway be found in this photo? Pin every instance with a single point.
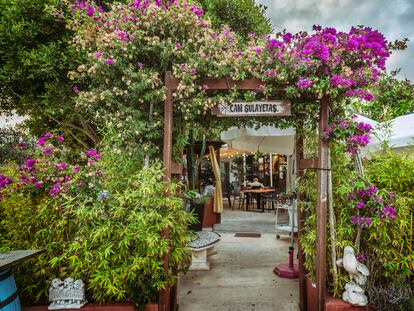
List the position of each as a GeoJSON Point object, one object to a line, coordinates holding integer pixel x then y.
{"type": "Point", "coordinates": [250, 109]}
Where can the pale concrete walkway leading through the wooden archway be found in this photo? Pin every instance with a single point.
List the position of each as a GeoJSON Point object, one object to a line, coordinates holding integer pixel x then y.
{"type": "Point", "coordinates": [241, 276]}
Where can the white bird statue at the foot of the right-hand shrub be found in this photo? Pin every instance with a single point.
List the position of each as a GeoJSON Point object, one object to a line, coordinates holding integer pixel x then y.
{"type": "Point", "coordinates": [358, 272]}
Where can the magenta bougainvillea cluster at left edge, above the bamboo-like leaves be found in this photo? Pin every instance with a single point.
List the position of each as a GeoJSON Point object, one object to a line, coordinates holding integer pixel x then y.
{"type": "Point", "coordinates": [45, 170]}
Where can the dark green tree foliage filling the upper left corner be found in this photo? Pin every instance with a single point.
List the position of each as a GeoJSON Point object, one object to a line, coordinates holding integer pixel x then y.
{"type": "Point", "coordinates": [35, 56]}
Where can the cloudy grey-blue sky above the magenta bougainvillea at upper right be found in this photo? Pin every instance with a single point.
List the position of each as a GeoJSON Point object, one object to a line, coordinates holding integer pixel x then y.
{"type": "Point", "coordinates": [394, 18]}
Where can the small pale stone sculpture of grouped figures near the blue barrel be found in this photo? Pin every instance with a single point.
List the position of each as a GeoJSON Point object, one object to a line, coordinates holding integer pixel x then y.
{"type": "Point", "coordinates": [67, 294]}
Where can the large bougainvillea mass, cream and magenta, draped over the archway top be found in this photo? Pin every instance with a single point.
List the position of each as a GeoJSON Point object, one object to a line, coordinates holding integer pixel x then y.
{"type": "Point", "coordinates": [128, 46]}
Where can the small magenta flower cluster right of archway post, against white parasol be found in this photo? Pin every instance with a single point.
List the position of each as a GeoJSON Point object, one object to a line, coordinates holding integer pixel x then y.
{"type": "Point", "coordinates": [355, 134]}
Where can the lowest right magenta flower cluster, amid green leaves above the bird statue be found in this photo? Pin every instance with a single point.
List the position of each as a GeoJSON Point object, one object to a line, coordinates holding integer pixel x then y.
{"type": "Point", "coordinates": [369, 203]}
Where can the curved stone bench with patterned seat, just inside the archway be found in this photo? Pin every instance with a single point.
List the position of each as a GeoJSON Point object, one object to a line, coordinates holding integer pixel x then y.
{"type": "Point", "coordinates": [201, 248]}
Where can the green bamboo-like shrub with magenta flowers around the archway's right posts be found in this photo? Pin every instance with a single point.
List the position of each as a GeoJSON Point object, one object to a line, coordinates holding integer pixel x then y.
{"type": "Point", "coordinates": [386, 240]}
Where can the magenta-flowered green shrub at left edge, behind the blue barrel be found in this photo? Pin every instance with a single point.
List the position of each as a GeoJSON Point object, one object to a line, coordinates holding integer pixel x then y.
{"type": "Point", "coordinates": [32, 209]}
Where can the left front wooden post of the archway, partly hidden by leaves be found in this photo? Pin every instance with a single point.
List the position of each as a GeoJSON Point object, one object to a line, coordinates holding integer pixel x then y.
{"type": "Point", "coordinates": [165, 299]}
